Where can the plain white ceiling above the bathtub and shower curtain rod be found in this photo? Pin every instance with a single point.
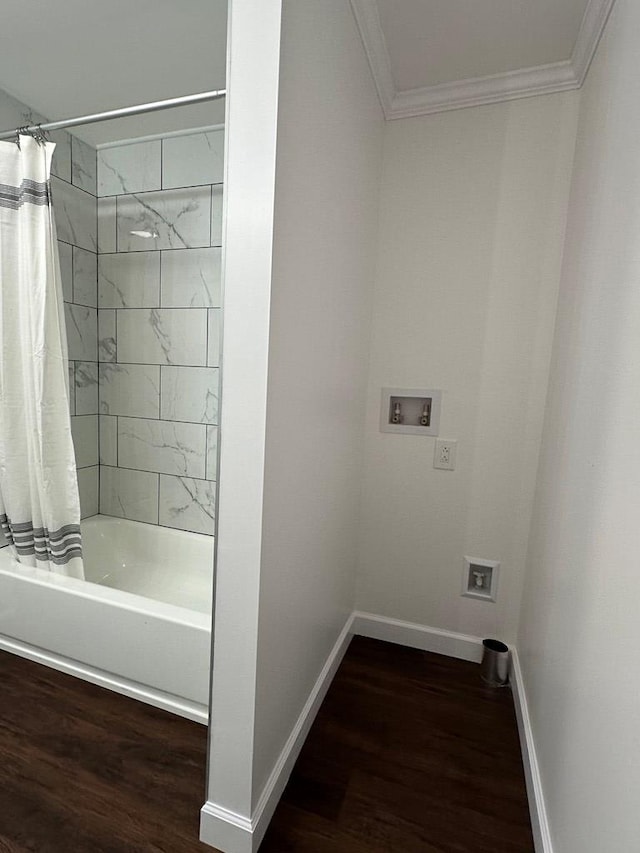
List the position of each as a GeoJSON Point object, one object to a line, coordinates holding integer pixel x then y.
{"type": "Point", "coordinates": [66, 58]}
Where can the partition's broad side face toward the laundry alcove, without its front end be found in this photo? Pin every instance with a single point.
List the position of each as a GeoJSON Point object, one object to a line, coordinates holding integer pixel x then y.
{"type": "Point", "coordinates": [326, 216]}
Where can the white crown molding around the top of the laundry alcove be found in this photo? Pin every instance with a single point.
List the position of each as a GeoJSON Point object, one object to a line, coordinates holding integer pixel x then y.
{"type": "Point", "coordinates": [473, 92]}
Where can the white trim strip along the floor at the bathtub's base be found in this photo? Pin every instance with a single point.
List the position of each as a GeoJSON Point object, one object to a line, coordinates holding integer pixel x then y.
{"type": "Point", "coordinates": [182, 707]}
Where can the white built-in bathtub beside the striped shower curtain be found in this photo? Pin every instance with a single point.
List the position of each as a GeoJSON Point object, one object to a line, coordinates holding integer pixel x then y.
{"type": "Point", "coordinates": [140, 624]}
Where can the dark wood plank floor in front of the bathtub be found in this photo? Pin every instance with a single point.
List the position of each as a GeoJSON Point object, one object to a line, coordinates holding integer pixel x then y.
{"type": "Point", "coordinates": [84, 770]}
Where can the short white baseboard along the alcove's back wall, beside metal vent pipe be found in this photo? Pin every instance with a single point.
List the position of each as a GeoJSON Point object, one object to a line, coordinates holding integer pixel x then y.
{"type": "Point", "coordinates": [462, 646]}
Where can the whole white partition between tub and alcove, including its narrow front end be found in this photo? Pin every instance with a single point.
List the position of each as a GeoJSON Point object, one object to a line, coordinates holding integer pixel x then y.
{"type": "Point", "coordinates": [293, 402]}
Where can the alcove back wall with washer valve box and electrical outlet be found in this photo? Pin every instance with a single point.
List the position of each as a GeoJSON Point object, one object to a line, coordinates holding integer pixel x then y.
{"type": "Point", "coordinates": [472, 218]}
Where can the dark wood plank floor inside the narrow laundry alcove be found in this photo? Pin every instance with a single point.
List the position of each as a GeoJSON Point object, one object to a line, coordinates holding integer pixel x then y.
{"type": "Point", "coordinates": [410, 753]}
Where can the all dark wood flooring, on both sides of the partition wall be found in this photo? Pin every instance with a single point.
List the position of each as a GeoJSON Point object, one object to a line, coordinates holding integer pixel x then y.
{"type": "Point", "coordinates": [410, 752]}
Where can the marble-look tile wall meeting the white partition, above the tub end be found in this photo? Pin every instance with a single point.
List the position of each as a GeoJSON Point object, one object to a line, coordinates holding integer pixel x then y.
{"type": "Point", "coordinates": [158, 328]}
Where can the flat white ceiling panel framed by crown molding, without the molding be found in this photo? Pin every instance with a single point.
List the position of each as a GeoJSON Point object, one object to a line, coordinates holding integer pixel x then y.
{"type": "Point", "coordinates": [437, 41]}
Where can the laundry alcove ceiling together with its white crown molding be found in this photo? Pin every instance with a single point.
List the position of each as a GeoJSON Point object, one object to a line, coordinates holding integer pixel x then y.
{"type": "Point", "coordinates": [433, 55]}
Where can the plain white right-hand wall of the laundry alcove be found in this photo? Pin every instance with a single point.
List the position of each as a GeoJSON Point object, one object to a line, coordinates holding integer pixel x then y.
{"type": "Point", "coordinates": [580, 633]}
